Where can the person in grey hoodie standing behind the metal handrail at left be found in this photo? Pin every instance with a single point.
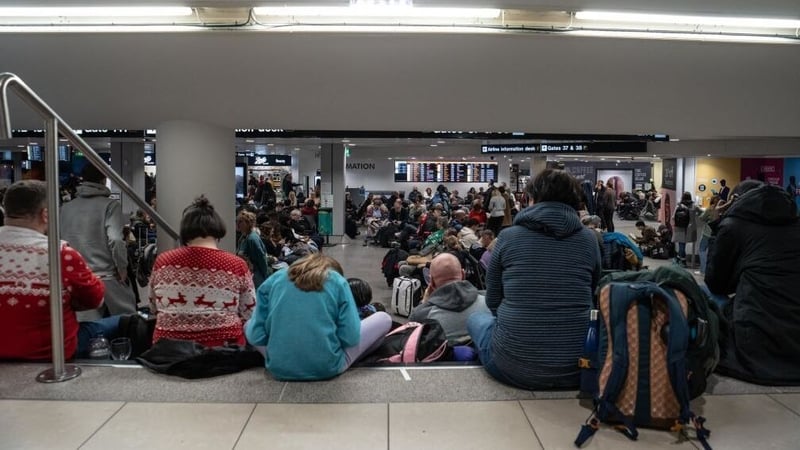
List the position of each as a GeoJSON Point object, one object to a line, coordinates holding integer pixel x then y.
{"type": "Point", "coordinates": [92, 224]}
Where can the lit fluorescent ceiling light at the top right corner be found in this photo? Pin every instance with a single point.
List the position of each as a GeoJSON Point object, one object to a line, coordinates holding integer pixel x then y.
{"type": "Point", "coordinates": [745, 22]}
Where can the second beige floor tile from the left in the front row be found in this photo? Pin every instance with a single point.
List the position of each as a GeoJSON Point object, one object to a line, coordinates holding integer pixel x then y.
{"type": "Point", "coordinates": [173, 425]}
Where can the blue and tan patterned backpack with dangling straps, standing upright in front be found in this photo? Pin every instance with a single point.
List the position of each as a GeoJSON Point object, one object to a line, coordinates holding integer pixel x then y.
{"type": "Point", "coordinates": [643, 337]}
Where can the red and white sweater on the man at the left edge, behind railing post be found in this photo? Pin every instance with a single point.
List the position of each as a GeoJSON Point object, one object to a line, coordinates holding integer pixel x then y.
{"type": "Point", "coordinates": [25, 295]}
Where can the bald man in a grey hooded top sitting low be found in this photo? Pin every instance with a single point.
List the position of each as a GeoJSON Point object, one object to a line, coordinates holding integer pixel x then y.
{"type": "Point", "coordinates": [449, 299]}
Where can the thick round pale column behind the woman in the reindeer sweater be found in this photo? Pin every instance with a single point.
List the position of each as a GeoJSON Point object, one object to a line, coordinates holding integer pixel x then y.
{"type": "Point", "coordinates": [193, 159]}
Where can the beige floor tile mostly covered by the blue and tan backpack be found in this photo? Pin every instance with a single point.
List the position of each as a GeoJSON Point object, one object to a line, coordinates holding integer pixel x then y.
{"type": "Point", "coordinates": [557, 423]}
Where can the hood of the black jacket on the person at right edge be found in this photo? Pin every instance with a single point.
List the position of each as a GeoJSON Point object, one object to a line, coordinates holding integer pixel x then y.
{"type": "Point", "coordinates": [768, 205]}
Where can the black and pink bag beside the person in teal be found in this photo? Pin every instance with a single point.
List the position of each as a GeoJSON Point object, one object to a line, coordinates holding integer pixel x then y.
{"type": "Point", "coordinates": [424, 341]}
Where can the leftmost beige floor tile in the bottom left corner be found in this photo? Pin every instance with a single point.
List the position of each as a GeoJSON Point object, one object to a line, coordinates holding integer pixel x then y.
{"type": "Point", "coordinates": [33, 424]}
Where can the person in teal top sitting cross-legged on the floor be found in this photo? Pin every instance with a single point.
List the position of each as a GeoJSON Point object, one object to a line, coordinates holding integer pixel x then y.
{"type": "Point", "coordinates": [307, 319]}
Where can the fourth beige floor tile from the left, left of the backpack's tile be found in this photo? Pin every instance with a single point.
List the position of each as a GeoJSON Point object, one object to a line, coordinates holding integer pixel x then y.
{"type": "Point", "coordinates": [460, 426]}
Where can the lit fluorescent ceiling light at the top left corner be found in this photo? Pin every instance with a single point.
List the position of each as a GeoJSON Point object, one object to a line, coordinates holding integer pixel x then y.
{"type": "Point", "coordinates": [96, 11]}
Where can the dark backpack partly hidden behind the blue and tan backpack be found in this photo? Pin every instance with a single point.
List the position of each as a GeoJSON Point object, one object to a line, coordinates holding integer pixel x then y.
{"type": "Point", "coordinates": [706, 324]}
